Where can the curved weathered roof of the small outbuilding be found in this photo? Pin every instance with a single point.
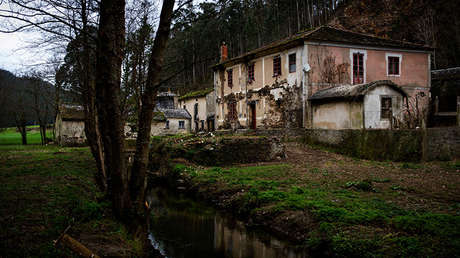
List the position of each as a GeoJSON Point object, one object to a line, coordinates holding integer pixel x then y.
{"type": "Point", "coordinates": [353, 91]}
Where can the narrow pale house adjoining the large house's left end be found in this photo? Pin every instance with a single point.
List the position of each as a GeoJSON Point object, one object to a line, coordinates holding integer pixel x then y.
{"type": "Point", "coordinates": [201, 105]}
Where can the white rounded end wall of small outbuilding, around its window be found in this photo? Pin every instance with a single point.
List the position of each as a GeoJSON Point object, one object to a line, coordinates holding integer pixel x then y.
{"type": "Point", "coordinates": [372, 107]}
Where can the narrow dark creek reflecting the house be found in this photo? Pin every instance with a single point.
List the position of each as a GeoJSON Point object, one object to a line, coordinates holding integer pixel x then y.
{"type": "Point", "coordinates": [182, 227]}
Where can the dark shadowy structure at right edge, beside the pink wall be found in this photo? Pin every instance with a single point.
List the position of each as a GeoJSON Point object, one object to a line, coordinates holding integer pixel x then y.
{"type": "Point", "coordinates": [445, 92]}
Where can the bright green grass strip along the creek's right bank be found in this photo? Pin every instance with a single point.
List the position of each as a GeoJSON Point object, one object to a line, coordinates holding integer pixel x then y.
{"type": "Point", "coordinates": [343, 216]}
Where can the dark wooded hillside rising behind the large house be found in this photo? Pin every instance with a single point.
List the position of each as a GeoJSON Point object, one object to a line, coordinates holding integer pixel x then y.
{"type": "Point", "coordinates": [244, 25]}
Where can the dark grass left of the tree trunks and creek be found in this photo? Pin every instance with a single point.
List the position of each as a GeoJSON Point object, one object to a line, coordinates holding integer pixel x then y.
{"type": "Point", "coordinates": [45, 189]}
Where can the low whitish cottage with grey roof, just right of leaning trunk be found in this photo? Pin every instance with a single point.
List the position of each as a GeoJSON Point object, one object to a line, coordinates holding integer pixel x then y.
{"type": "Point", "coordinates": [167, 118]}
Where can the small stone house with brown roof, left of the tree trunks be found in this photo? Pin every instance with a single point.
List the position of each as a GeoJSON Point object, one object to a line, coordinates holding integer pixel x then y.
{"type": "Point", "coordinates": [70, 125]}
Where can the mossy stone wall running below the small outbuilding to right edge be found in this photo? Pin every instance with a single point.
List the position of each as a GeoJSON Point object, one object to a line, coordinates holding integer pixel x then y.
{"type": "Point", "coordinates": [397, 145]}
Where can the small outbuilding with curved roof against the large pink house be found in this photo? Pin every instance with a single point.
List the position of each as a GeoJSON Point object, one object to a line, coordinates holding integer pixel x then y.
{"type": "Point", "coordinates": [375, 105]}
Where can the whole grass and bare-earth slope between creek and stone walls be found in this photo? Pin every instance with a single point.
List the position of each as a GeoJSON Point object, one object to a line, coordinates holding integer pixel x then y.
{"type": "Point", "coordinates": [350, 207]}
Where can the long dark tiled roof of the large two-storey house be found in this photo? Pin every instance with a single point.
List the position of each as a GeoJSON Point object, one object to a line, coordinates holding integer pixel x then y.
{"type": "Point", "coordinates": [324, 34]}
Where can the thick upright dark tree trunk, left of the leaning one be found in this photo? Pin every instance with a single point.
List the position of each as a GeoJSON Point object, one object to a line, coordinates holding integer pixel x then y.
{"type": "Point", "coordinates": [111, 41]}
